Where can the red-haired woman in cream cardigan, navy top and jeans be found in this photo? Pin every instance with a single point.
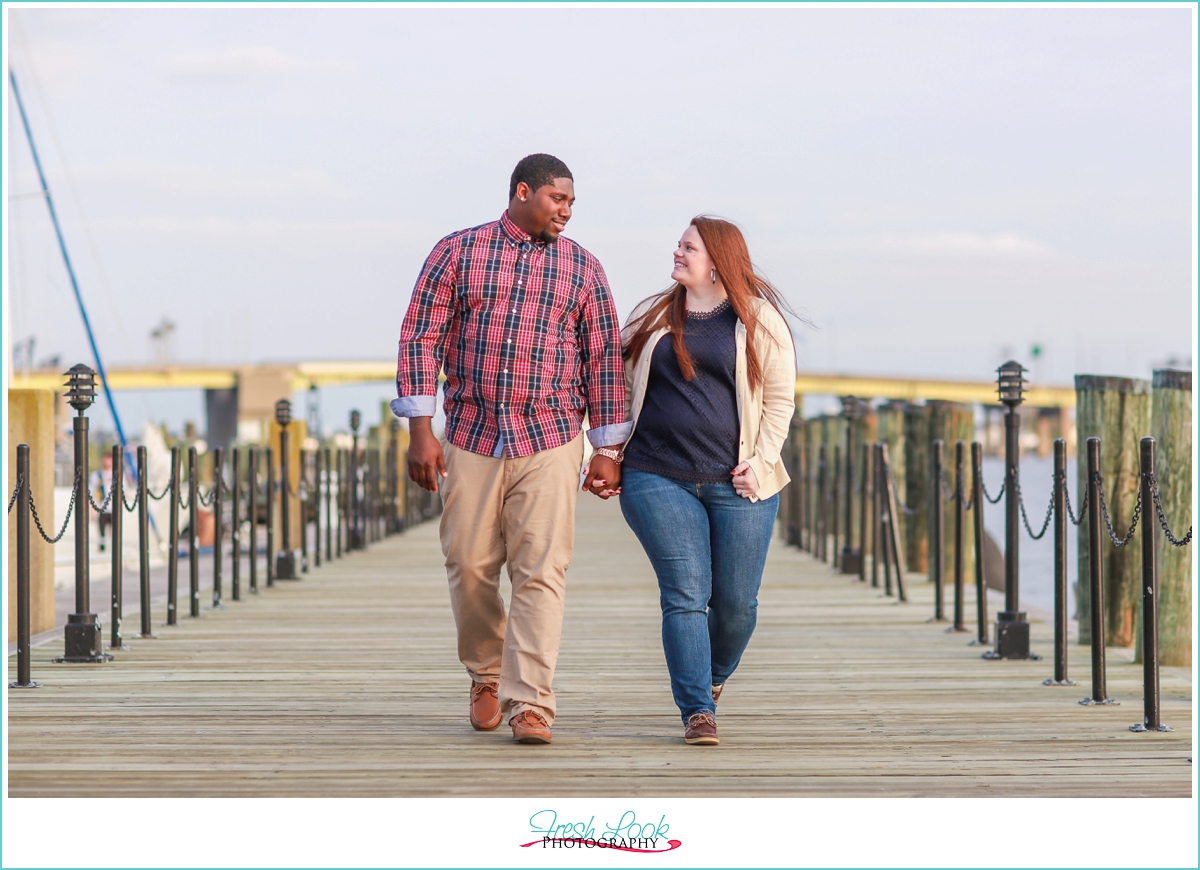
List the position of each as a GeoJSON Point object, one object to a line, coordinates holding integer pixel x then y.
{"type": "Point", "coordinates": [711, 375]}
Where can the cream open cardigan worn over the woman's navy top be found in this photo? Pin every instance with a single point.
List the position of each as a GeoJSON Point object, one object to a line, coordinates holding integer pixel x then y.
{"type": "Point", "coordinates": [765, 413]}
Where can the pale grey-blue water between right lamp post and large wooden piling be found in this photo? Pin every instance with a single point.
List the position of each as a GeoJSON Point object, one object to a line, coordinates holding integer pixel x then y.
{"type": "Point", "coordinates": [1036, 557]}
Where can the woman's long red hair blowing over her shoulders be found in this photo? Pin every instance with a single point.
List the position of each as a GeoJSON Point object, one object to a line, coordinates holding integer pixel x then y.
{"type": "Point", "coordinates": [728, 249]}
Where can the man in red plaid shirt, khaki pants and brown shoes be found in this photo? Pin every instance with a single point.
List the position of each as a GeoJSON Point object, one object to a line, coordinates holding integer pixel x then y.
{"type": "Point", "coordinates": [523, 321]}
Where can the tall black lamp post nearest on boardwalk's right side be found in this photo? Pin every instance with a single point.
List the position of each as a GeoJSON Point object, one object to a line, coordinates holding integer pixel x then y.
{"type": "Point", "coordinates": [1012, 629]}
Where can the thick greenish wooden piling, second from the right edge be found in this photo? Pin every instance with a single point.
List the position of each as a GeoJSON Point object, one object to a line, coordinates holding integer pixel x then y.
{"type": "Point", "coordinates": [1118, 412]}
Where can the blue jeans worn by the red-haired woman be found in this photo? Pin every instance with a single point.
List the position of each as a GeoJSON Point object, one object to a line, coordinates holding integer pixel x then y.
{"type": "Point", "coordinates": [709, 548]}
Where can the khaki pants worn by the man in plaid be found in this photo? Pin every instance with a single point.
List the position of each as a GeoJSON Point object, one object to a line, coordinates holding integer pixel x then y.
{"type": "Point", "coordinates": [520, 513]}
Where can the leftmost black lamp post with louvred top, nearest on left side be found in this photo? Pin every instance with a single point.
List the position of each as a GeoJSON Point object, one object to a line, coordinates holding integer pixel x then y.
{"type": "Point", "coordinates": [82, 634]}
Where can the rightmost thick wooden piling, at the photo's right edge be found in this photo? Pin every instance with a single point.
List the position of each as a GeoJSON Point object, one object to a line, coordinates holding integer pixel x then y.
{"type": "Point", "coordinates": [1172, 428]}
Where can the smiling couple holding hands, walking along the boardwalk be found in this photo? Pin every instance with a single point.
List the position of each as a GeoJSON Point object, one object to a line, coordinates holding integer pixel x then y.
{"type": "Point", "coordinates": [688, 409]}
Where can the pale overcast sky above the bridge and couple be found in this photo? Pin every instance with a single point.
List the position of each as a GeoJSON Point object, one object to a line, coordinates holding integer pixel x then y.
{"type": "Point", "coordinates": [935, 189]}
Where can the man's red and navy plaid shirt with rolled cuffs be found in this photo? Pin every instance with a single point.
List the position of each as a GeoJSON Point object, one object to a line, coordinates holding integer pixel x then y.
{"type": "Point", "coordinates": [529, 337]}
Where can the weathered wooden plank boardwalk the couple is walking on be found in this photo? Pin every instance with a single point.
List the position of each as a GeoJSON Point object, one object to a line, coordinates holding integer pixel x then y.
{"type": "Point", "coordinates": [347, 683]}
